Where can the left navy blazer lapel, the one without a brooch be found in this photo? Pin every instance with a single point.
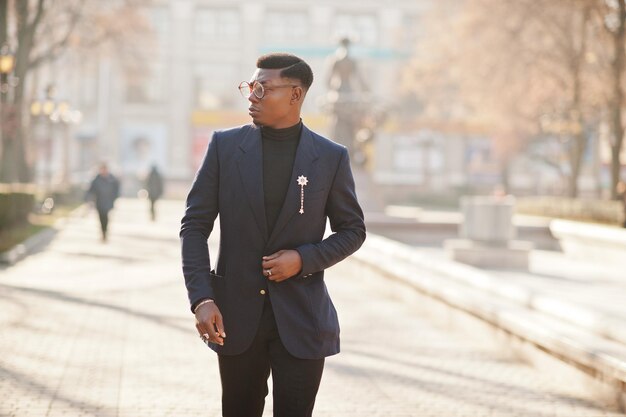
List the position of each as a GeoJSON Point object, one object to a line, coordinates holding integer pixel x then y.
{"type": "Point", "coordinates": [251, 172]}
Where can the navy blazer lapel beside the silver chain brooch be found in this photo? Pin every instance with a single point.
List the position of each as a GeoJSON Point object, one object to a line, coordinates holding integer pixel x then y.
{"type": "Point", "coordinates": [306, 155]}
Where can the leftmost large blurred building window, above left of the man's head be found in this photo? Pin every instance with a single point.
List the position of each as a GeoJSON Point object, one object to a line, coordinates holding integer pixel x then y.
{"type": "Point", "coordinates": [216, 25]}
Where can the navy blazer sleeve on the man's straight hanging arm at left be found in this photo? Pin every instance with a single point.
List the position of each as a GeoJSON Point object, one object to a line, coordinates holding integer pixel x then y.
{"type": "Point", "coordinates": [197, 224]}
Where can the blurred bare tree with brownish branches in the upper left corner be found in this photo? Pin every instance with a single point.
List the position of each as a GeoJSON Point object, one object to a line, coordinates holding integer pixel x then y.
{"type": "Point", "coordinates": [43, 31]}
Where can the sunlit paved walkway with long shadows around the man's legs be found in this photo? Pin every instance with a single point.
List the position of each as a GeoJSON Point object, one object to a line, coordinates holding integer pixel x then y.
{"type": "Point", "coordinates": [92, 329]}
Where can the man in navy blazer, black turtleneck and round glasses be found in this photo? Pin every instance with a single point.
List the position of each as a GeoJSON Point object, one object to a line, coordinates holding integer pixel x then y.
{"type": "Point", "coordinates": [273, 183]}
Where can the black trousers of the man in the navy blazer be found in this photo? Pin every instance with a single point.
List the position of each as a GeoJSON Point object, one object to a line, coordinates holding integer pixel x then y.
{"type": "Point", "coordinates": [244, 377]}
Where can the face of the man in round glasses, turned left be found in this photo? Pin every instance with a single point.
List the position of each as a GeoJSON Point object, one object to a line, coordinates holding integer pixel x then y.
{"type": "Point", "coordinates": [278, 108]}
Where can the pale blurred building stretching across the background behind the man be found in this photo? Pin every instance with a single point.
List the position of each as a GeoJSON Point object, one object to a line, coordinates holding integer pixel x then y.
{"type": "Point", "coordinates": [157, 101]}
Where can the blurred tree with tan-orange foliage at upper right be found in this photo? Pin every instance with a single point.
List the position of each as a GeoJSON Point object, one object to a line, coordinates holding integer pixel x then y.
{"type": "Point", "coordinates": [515, 63]}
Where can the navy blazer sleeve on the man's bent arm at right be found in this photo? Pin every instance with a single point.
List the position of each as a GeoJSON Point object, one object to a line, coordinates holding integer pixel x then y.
{"type": "Point", "coordinates": [346, 221]}
